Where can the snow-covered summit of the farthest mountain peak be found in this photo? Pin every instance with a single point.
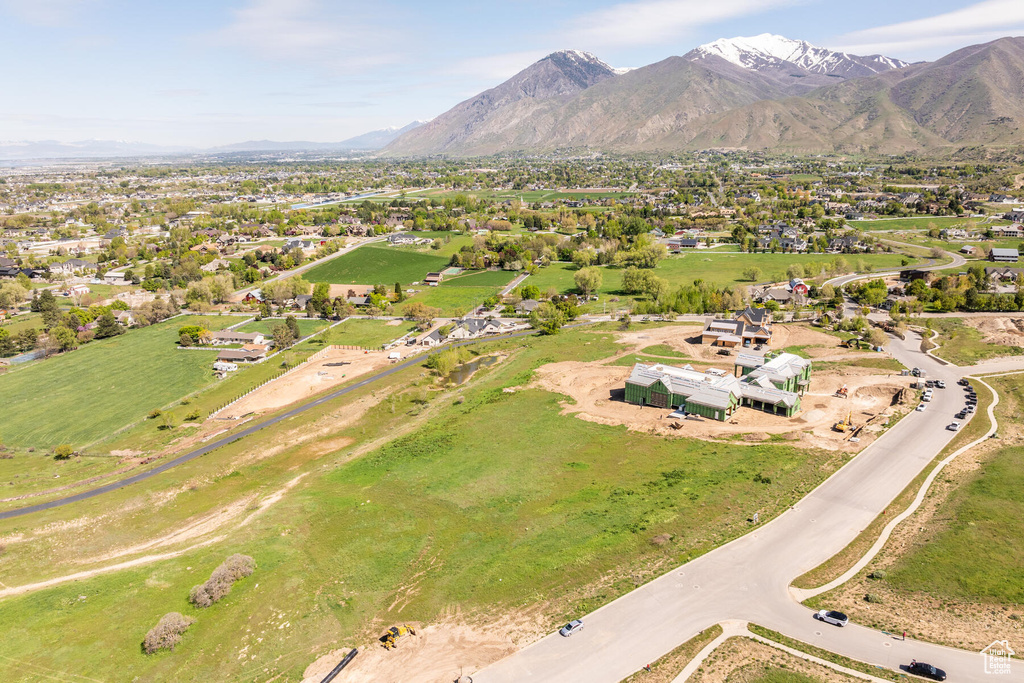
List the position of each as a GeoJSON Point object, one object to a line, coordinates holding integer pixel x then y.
{"type": "Point", "coordinates": [771, 52]}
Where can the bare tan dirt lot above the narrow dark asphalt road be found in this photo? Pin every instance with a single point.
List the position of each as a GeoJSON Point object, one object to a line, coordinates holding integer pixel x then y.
{"type": "Point", "coordinates": [337, 367]}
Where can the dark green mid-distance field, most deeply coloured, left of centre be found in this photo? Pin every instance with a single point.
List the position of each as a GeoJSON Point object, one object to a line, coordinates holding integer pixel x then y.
{"type": "Point", "coordinates": [376, 266]}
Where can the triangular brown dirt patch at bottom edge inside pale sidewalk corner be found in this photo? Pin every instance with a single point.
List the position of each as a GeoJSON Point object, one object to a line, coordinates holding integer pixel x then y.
{"type": "Point", "coordinates": [743, 660]}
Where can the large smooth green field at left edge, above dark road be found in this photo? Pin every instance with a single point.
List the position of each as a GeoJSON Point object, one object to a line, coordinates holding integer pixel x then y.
{"type": "Point", "coordinates": [83, 396]}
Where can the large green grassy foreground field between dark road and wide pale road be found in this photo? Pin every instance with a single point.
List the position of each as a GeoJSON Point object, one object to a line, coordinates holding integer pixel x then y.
{"type": "Point", "coordinates": [433, 520]}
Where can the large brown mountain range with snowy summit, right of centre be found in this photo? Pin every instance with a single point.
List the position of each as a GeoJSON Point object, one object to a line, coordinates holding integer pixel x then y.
{"type": "Point", "coordinates": [764, 93]}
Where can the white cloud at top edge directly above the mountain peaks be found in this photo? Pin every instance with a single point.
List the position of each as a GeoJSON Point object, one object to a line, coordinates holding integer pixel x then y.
{"type": "Point", "coordinates": [654, 22]}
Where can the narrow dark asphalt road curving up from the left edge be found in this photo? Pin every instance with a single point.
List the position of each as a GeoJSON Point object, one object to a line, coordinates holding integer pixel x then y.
{"type": "Point", "coordinates": [192, 455]}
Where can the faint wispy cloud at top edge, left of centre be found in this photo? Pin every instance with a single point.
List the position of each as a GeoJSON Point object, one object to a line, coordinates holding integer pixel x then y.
{"type": "Point", "coordinates": [336, 36]}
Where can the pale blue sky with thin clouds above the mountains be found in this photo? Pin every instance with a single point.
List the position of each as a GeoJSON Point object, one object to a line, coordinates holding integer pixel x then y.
{"type": "Point", "coordinates": [214, 72]}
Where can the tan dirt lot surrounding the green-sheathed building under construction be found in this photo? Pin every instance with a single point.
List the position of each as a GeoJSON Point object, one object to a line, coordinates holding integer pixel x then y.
{"type": "Point", "coordinates": [596, 390]}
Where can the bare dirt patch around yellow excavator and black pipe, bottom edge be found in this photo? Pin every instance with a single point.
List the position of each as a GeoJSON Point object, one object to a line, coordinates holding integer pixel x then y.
{"type": "Point", "coordinates": [438, 653]}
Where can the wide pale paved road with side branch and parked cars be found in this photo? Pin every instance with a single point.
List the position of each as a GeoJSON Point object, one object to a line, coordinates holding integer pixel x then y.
{"type": "Point", "coordinates": [749, 579]}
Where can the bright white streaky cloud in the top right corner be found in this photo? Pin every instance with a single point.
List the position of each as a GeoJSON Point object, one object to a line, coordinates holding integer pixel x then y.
{"type": "Point", "coordinates": [934, 36]}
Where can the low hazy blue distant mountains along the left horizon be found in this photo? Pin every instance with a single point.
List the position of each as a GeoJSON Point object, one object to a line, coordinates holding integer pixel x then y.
{"type": "Point", "coordinates": [48, 150]}
